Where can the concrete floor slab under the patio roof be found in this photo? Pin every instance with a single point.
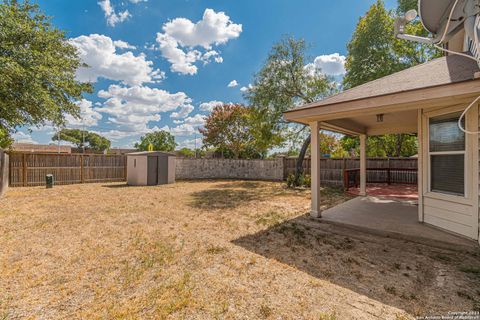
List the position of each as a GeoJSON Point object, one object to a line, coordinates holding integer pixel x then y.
{"type": "Point", "coordinates": [394, 218]}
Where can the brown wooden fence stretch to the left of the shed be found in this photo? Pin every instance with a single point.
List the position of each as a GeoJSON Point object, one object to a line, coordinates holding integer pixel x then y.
{"type": "Point", "coordinates": [30, 169]}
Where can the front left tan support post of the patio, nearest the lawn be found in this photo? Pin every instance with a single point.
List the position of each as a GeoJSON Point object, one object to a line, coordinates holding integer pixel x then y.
{"type": "Point", "coordinates": [315, 169]}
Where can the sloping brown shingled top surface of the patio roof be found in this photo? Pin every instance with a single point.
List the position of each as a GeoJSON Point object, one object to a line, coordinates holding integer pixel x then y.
{"type": "Point", "coordinates": [441, 71]}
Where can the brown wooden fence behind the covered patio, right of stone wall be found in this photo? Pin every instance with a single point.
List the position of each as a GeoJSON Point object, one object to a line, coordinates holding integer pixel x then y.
{"type": "Point", "coordinates": [345, 171]}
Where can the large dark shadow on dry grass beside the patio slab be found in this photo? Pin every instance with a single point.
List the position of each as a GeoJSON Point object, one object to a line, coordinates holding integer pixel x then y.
{"type": "Point", "coordinates": [393, 272]}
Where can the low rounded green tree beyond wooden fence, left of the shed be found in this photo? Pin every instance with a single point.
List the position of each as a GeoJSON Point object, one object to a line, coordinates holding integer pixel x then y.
{"type": "Point", "coordinates": [83, 138]}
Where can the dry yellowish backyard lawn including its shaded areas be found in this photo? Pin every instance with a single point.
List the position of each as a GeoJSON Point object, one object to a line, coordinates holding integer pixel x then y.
{"type": "Point", "coordinates": [212, 249]}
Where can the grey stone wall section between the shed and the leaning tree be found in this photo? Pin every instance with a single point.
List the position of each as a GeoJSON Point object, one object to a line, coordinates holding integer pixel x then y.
{"type": "Point", "coordinates": [191, 169]}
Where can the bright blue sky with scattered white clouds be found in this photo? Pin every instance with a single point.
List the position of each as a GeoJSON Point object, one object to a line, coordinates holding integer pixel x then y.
{"type": "Point", "coordinates": [163, 64]}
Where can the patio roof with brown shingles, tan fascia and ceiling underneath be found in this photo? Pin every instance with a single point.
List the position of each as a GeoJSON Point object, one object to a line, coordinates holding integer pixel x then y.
{"type": "Point", "coordinates": [446, 81]}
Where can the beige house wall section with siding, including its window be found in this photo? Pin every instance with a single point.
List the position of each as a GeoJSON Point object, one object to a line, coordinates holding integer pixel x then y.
{"type": "Point", "coordinates": [450, 178]}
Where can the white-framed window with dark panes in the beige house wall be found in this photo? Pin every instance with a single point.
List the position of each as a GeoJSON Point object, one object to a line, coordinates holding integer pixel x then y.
{"type": "Point", "coordinates": [447, 155]}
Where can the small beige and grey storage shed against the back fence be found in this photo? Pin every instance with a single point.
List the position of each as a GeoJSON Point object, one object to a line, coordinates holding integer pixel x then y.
{"type": "Point", "coordinates": [149, 168]}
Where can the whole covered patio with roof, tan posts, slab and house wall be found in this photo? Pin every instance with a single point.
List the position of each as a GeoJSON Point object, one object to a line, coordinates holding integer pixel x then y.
{"type": "Point", "coordinates": [402, 103]}
